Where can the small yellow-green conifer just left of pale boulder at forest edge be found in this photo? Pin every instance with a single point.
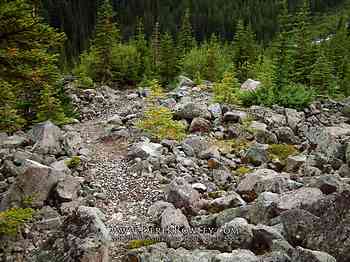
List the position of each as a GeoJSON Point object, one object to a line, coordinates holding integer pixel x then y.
{"type": "Point", "coordinates": [226, 90]}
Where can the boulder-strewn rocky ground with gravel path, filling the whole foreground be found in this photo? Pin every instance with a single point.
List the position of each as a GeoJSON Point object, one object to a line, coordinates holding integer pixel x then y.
{"type": "Point", "coordinates": [245, 185]}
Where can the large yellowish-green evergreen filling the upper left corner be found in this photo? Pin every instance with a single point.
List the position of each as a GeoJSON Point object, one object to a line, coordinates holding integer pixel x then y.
{"type": "Point", "coordinates": [27, 60]}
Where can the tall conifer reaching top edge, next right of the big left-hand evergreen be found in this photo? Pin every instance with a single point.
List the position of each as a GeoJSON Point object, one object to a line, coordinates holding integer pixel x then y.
{"type": "Point", "coordinates": [106, 35]}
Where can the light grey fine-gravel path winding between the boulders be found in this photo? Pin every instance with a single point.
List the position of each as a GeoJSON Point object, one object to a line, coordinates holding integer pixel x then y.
{"type": "Point", "coordinates": [126, 196]}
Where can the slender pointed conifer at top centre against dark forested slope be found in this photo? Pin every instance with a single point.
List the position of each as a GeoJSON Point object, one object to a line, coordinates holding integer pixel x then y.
{"type": "Point", "coordinates": [186, 41]}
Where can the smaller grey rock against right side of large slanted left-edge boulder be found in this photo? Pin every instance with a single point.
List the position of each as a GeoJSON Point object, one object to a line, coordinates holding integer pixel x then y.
{"type": "Point", "coordinates": [67, 188]}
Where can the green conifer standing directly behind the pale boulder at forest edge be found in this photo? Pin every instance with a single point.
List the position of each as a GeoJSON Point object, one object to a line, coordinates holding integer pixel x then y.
{"type": "Point", "coordinates": [245, 54]}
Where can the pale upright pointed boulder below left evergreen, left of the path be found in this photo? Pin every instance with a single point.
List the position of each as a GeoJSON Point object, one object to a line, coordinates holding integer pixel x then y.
{"type": "Point", "coordinates": [47, 138]}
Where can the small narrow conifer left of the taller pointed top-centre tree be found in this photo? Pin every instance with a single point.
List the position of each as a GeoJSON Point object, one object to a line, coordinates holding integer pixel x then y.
{"type": "Point", "coordinates": [168, 59]}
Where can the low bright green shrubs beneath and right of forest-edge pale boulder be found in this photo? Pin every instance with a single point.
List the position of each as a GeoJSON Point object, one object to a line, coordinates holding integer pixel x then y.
{"type": "Point", "coordinates": [292, 96]}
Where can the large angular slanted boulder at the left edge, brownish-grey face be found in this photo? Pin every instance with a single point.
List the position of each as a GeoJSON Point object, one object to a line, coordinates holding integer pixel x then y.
{"type": "Point", "coordinates": [35, 181]}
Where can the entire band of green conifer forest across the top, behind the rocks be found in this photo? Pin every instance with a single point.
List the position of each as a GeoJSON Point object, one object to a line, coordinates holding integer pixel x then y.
{"type": "Point", "coordinates": [129, 43]}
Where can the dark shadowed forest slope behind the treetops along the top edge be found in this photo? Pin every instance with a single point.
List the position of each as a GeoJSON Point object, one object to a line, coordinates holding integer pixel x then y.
{"type": "Point", "coordinates": [77, 17]}
